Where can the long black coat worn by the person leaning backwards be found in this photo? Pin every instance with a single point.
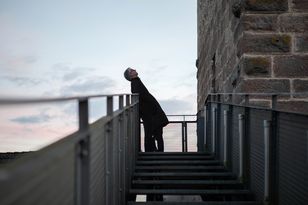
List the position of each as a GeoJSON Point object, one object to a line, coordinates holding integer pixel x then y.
{"type": "Point", "coordinates": [149, 109]}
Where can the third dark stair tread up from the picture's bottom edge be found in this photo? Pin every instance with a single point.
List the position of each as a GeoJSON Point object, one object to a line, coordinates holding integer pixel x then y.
{"type": "Point", "coordinates": [186, 182]}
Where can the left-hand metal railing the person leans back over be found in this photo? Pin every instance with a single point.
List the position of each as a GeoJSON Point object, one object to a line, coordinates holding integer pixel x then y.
{"type": "Point", "coordinates": [91, 166]}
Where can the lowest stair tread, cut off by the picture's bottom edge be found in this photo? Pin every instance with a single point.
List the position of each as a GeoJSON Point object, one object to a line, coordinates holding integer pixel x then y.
{"type": "Point", "coordinates": [197, 203]}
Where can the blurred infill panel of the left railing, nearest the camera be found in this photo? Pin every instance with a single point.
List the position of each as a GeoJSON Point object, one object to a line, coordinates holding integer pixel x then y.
{"type": "Point", "coordinates": [44, 177]}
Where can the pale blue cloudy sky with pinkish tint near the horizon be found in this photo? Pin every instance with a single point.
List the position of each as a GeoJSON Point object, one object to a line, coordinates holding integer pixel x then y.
{"type": "Point", "coordinates": [52, 48]}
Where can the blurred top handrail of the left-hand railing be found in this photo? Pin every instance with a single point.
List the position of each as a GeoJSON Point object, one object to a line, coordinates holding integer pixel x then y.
{"type": "Point", "coordinates": [5, 101]}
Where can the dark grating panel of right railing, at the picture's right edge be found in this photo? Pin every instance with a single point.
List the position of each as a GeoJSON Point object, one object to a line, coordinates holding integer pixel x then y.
{"type": "Point", "coordinates": [293, 167]}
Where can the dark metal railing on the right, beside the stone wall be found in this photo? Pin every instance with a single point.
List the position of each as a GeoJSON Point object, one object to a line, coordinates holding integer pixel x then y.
{"type": "Point", "coordinates": [265, 147]}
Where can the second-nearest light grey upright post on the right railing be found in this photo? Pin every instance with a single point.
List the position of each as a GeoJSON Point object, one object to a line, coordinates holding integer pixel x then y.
{"type": "Point", "coordinates": [241, 153]}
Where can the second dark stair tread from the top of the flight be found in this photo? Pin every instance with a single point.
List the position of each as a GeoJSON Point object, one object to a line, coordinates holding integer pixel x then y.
{"type": "Point", "coordinates": [182, 162]}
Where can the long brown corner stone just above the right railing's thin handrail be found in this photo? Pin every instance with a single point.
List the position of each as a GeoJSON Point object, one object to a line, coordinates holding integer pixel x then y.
{"type": "Point", "coordinates": [264, 86]}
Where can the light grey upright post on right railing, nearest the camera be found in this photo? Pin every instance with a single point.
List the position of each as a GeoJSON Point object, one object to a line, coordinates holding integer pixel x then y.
{"type": "Point", "coordinates": [267, 145]}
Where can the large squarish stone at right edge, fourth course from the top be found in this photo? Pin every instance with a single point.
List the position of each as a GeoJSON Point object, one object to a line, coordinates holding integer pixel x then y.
{"type": "Point", "coordinates": [290, 66]}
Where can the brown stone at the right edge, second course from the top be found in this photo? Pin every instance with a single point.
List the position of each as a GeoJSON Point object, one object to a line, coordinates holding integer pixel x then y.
{"type": "Point", "coordinates": [293, 23]}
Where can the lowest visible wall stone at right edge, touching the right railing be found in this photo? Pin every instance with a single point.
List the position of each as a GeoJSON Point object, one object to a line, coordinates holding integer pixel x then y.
{"type": "Point", "coordinates": [293, 106]}
